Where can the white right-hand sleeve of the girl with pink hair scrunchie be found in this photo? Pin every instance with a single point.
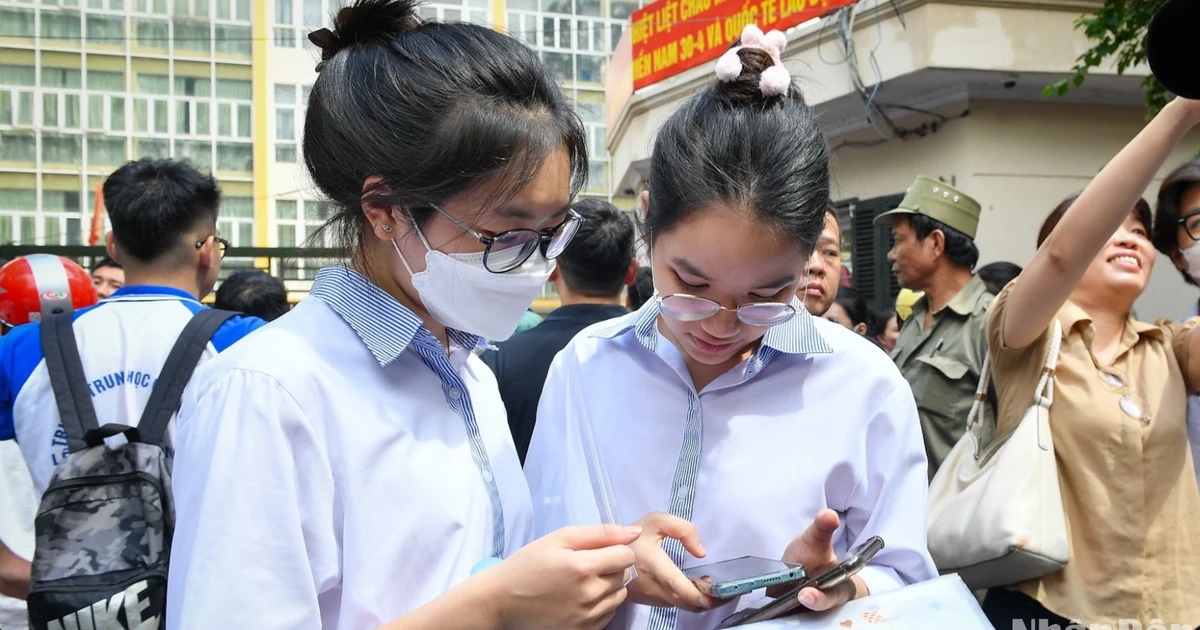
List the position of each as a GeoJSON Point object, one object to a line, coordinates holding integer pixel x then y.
{"type": "Point", "coordinates": [890, 500]}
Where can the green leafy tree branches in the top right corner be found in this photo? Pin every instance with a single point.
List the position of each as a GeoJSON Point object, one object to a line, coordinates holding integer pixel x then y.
{"type": "Point", "coordinates": [1117, 32]}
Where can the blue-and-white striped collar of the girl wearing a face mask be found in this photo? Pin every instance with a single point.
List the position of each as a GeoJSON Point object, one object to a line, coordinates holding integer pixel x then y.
{"type": "Point", "coordinates": [386, 327]}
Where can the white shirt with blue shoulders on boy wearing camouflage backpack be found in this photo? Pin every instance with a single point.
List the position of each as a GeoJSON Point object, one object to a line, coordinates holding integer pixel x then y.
{"type": "Point", "coordinates": [124, 343]}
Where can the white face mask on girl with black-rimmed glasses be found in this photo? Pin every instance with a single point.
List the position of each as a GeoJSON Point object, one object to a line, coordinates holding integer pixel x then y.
{"type": "Point", "coordinates": [463, 295]}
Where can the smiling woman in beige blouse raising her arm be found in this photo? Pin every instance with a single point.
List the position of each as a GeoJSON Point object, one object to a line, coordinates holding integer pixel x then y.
{"type": "Point", "coordinates": [1131, 500]}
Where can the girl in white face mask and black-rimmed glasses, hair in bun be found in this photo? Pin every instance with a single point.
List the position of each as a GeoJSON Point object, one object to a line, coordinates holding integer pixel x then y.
{"type": "Point", "coordinates": [351, 467]}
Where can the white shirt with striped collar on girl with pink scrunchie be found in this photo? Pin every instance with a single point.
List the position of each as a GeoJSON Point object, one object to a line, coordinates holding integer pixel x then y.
{"type": "Point", "coordinates": [817, 418]}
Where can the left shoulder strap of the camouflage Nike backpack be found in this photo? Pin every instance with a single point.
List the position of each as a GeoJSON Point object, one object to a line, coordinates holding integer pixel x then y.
{"type": "Point", "coordinates": [68, 380]}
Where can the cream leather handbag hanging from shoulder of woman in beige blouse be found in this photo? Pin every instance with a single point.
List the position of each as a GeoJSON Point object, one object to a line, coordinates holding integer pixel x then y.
{"type": "Point", "coordinates": [997, 518]}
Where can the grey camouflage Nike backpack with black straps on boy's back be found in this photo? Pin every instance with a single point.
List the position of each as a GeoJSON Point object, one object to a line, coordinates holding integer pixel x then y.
{"type": "Point", "coordinates": [105, 525]}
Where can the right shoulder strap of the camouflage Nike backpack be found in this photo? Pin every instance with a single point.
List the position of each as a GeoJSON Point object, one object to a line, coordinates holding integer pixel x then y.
{"type": "Point", "coordinates": [169, 391]}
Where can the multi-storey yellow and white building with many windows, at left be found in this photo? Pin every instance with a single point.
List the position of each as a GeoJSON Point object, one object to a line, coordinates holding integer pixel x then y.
{"type": "Point", "coordinates": [89, 85]}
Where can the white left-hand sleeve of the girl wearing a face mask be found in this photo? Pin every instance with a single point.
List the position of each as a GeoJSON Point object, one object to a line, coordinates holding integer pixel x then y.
{"type": "Point", "coordinates": [255, 543]}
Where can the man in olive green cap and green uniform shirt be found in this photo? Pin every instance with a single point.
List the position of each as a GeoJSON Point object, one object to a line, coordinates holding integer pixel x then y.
{"type": "Point", "coordinates": [943, 346]}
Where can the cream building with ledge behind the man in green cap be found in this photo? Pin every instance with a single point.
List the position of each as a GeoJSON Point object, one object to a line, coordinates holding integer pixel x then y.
{"type": "Point", "coordinates": [946, 89]}
